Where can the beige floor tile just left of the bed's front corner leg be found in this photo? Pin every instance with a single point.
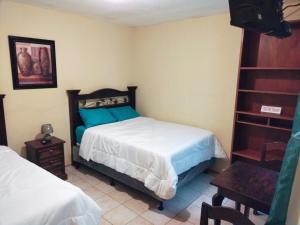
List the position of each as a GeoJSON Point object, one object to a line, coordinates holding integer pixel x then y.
{"type": "Point", "coordinates": [140, 205]}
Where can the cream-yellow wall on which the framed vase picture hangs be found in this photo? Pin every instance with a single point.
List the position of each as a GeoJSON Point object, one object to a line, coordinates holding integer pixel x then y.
{"type": "Point", "coordinates": [90, 54]}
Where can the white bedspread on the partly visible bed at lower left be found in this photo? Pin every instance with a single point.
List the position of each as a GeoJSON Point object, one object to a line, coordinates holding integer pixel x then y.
{"type": "Point", "coordinates": [30, 195]}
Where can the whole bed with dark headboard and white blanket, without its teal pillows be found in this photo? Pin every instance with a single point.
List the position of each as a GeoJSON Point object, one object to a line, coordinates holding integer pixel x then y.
{"type": "Point", "coordinates": [149, 155]}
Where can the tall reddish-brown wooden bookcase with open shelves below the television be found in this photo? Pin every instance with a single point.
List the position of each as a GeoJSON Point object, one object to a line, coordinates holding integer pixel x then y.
{"type": "Point", "coordinates": [269, 74]}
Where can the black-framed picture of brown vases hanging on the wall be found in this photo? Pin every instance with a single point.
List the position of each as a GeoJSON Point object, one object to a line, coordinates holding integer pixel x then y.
{"type": "Point", "coordinates": [32, 62]}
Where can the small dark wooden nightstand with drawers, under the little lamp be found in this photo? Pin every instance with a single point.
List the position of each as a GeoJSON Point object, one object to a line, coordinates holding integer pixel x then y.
{"type": "Point", "coordinates": [49, 156]}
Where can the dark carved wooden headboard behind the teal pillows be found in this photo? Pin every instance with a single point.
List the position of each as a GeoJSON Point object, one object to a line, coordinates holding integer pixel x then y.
{"type": "Point", "coordinates": [101, 98]}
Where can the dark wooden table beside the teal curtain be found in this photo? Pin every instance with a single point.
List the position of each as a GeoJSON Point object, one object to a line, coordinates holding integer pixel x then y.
{"type": "Point", "coordinates": [246, 184]}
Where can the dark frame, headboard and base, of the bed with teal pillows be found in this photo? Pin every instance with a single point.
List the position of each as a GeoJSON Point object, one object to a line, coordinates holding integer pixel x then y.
{"type": "Point", "coordinates": [114, 98]}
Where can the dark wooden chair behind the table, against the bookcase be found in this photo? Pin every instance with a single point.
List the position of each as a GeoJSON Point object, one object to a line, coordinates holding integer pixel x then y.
{"type": "Point", "coordinates": [272, 155]}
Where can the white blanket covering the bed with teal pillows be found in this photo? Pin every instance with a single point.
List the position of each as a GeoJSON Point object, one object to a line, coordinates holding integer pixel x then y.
{"type": "Point", "coordinates": [151, 151]}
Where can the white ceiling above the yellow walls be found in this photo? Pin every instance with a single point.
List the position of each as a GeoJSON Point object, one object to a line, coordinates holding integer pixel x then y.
{"type": "Point", "coordinates": [137, 12]}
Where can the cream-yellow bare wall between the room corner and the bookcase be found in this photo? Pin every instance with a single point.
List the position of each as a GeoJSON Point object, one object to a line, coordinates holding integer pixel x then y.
{"type": "Point", "coordinates": [187, 72]}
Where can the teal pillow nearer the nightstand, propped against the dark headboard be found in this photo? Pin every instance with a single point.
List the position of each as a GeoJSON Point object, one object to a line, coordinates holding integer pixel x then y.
{"type": "Point", "coordinates": [94, 117]}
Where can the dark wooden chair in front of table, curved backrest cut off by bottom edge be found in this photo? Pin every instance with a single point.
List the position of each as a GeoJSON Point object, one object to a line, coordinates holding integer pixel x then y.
{"type": "Point", "coordinates": [222, 213]}
